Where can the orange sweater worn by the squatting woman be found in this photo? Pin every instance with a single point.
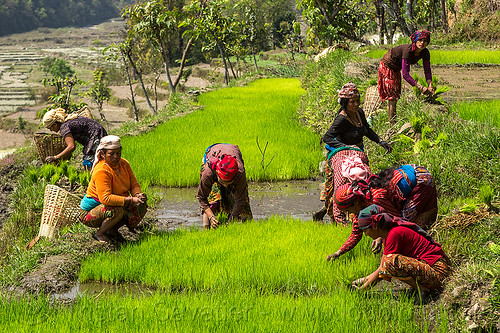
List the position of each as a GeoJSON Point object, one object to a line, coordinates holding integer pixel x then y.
{"type": "Point", "coordinates": [111, 185]}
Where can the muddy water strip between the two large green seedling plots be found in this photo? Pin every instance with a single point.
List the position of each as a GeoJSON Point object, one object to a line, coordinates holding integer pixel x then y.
{"type": "Point", "coordinates": [298, 199]}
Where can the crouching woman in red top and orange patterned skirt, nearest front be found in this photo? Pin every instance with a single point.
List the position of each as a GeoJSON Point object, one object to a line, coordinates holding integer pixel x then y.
{"type": "Point", "coordinates": [410, 254]}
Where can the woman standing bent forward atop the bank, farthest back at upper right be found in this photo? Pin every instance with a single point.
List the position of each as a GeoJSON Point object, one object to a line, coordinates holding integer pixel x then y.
{"type": "Point", "coordinates": [397, 61]}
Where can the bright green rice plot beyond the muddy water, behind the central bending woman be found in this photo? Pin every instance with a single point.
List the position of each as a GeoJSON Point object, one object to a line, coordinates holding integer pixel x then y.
{"type": "Point", "coordinates": [264, 110]}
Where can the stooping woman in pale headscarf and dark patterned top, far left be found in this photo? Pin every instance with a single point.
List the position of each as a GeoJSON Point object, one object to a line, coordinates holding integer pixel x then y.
{"type": "Point", "coordinates": [73, 128]}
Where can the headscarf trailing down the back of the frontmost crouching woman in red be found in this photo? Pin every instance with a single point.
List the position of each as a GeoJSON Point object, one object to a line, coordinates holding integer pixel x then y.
{"type": "Point", "coordinates": [372, 215]}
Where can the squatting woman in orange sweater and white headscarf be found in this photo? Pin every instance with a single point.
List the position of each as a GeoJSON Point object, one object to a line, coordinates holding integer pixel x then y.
{"type": "Point", "coordinates": [114, 196]}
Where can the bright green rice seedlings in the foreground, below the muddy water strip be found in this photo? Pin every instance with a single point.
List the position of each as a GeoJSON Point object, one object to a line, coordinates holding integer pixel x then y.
{"type": "Point", "coordinates": [267, 276]}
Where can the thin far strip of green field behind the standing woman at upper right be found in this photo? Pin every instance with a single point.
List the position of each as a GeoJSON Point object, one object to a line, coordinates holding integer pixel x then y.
{"type": "Point", "coordinates": [451, 57]}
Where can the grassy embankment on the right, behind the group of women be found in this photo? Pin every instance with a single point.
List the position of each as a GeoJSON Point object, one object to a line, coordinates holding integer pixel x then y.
{"type": "Point", "coordinates": [463, 158]}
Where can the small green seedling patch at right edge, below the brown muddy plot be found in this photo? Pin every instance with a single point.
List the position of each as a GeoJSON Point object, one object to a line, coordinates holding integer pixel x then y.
{"type": "Point", "coordinates": [482, 111]}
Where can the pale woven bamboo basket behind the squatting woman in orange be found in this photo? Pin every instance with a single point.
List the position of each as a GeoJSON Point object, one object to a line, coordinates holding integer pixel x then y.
{"type": "Point", "coordinates": [60, 208]}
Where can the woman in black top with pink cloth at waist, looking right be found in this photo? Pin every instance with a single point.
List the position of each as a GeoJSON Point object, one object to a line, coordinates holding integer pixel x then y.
{"type": "Point", "coordinates": [346, 160]}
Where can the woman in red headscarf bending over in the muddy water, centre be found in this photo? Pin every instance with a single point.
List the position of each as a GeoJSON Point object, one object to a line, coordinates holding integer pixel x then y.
{"type": "Point", "coordinates": [223, 185]}
